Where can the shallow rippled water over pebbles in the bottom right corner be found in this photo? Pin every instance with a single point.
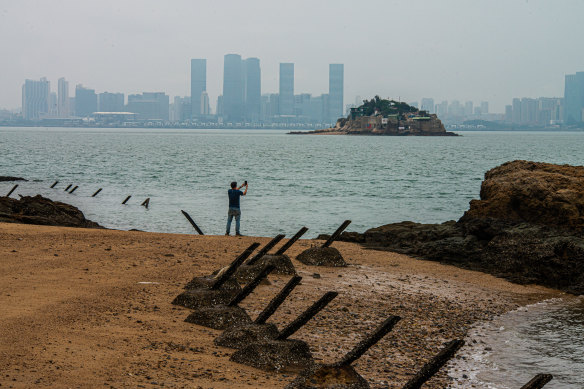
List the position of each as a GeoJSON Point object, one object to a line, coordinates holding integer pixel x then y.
{"type": "Point", "coordinates": [541, 338]}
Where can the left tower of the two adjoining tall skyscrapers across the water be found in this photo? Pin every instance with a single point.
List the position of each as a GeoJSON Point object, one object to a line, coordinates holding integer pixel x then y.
{"type": "Point", "coordinates": [233, 88]}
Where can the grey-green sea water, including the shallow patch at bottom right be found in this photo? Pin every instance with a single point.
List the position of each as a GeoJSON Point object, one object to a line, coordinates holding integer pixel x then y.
{"type": "Point", "coordinates": [295, 181]}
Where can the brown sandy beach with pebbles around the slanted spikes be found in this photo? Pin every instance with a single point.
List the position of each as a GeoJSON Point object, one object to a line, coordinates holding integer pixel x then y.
{"type": "Point", "coordinates": [91, 308]}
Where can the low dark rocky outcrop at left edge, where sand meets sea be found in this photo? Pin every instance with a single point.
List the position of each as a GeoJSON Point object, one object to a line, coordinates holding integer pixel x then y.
{"type": "Point", "coordinates": [43, 211]}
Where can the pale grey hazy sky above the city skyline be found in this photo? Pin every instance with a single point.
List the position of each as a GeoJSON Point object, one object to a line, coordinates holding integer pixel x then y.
{"type": "Point", "coordinates": [476, 50]}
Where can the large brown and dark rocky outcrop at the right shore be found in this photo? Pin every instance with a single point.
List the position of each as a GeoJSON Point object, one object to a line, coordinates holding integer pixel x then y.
{"type": "Point", "coordinates": [527, 227]}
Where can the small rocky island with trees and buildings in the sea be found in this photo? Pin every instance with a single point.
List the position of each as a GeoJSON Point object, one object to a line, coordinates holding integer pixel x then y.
{"type": "Point", "coordinates": [385, 117]}
